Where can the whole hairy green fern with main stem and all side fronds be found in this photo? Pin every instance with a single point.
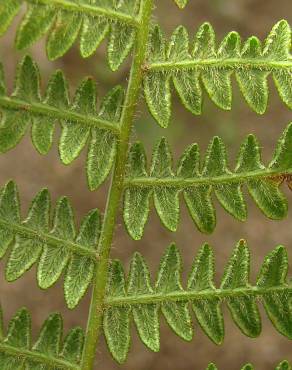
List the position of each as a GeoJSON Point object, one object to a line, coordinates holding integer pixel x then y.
{"type": "Point", "coordinates": [83, 256]}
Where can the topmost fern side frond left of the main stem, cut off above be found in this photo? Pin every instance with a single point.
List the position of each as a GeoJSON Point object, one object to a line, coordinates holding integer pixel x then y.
{"type": "Point", "coordinates": [64, 20]}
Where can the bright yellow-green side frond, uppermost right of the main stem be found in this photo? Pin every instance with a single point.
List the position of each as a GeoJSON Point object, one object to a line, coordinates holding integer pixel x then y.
{"type": "Point", "coordinates": [203, 64]}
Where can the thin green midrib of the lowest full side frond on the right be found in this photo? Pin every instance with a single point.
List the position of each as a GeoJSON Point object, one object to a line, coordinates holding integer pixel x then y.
{"type": "Point", "coordinates": [184, 295]}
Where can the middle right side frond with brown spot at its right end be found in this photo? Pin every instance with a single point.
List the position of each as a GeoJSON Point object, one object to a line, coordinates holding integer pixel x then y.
{"type": "Point", "coordinates": [197, 181]}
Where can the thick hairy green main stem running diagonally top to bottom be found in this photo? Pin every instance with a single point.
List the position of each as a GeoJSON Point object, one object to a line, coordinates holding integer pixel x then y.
{"type": "Point", "coordinates": [94, 323]}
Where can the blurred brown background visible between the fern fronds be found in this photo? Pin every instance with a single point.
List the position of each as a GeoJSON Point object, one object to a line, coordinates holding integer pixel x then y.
{"type": "Point", "coordinates": [32, 172]}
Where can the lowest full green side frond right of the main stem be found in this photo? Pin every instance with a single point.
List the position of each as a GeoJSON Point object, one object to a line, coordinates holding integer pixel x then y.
{"type": "Point", "coordinates": [136, 295]}
